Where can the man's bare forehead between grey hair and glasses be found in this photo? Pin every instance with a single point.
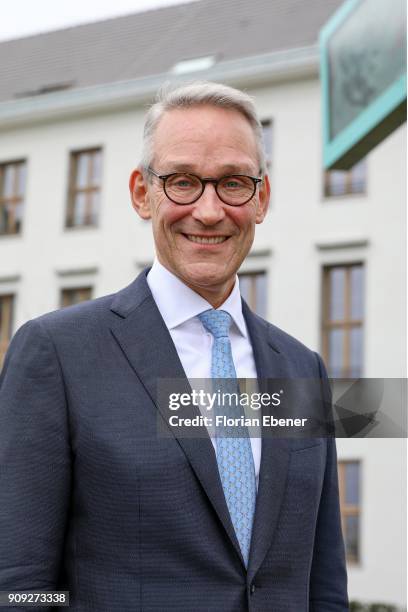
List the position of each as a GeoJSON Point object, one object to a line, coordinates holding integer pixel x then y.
{"type": "Point", "coordinates": [205, 132]}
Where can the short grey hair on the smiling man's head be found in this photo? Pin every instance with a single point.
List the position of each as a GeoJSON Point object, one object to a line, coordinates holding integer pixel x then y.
{"type": "Point", "coordinates": [195, 94]}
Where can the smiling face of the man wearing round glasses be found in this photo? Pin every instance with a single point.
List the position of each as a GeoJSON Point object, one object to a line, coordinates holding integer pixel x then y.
{"type": "Point", "coordinates": [209, 142]}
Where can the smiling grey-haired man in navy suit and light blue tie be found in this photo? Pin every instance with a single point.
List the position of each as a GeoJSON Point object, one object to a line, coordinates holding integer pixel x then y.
{"type": "Point", "coordinates": [92, 499]}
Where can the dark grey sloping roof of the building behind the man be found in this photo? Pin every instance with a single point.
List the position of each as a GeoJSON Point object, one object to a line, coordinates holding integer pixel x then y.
{"type": "Point", "coordinates": [151, 42]}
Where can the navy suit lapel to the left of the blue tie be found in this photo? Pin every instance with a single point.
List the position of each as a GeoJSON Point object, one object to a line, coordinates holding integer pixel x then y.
{"type": "Point", "coordinates": [145, 340]}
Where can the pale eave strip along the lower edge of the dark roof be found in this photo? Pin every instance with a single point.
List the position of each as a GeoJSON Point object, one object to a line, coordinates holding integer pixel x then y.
{"type": "Point", "coordinates": [244, 72]}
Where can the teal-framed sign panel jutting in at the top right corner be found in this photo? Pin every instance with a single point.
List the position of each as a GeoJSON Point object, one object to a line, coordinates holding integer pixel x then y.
{"type": "Point", "coordinates": [363, 78]}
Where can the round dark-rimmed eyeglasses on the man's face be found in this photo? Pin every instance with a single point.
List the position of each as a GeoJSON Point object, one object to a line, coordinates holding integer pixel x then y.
{"type": "Point", "coordinates": [182, 188]}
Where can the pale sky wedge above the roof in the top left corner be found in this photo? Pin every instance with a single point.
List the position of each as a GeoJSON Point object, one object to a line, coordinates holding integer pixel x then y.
{"type": "Point", "coordinates": [25, 17]}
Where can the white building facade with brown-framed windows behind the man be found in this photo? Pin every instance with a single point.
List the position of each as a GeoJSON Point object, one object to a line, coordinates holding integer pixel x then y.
{"type": "Point", "coordinates": [315, 255]}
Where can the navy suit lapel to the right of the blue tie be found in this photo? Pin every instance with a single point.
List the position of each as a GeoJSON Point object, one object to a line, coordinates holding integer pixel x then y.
{"type": "Point", "coordinates": [275, 454]}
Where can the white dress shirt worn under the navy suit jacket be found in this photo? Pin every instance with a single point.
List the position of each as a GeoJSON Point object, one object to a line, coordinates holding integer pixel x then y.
{"type": "Point", "coordinates": [179, 306]}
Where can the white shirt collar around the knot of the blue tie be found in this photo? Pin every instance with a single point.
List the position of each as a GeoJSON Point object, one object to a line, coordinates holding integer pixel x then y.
{"type": "Point", "coordinates": [178, 303]}
